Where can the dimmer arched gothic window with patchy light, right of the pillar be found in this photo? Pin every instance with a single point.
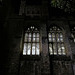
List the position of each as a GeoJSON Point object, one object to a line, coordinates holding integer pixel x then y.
{"type": "Point", "coordinates": [56, 41]}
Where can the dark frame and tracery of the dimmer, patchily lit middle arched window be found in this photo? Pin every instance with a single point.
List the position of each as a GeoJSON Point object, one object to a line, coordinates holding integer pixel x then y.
{"type": "Point", "coordinates": [56, 42]}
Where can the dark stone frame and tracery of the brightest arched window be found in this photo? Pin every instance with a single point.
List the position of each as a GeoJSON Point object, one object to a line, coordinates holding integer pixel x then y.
{"type": "Point", "coordinates": [32, 32]}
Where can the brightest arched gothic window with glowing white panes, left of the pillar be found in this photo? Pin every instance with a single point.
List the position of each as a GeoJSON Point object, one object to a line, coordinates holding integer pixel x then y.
{"type": "Point", "coordinates": [31, 41]}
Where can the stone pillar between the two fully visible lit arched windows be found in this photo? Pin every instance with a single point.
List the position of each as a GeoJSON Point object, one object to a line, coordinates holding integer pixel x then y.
{"type": "Point", "coordinates": [45, 69]}
